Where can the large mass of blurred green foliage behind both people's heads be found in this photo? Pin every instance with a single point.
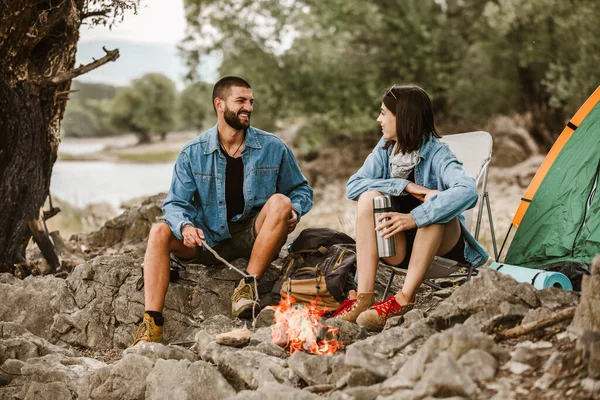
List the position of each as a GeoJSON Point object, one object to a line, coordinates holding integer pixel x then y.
{"type": "Point", "coordinates": [328, 62]}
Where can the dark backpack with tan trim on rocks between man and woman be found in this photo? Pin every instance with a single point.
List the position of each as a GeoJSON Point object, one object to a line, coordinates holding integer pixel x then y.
{"type": "Point", "coordinates": [321, 263]}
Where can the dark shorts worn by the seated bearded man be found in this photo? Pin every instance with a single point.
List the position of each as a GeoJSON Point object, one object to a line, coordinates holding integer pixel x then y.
{"type": "Point", "coordinates": [239, 245]}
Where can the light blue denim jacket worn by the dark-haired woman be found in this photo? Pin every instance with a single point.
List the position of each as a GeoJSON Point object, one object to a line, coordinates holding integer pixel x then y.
{"type": "Point", "coordinates": [436, 169]}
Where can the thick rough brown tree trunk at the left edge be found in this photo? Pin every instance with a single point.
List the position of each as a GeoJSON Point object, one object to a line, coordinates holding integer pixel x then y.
{"type": "Point", "coordinates": [37, 43]}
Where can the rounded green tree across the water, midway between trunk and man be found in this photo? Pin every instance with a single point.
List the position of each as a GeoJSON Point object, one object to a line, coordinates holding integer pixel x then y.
{"type": "Point", "coordinates": [147, 106]}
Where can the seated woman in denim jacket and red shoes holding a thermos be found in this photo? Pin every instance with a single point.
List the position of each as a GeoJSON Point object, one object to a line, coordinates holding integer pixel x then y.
{"type": "Point", "coordinates": [430, 191]}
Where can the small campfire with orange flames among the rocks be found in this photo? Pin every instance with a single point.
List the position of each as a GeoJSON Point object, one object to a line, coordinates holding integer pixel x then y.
{"type": "Point", "coordinates": [299, 328]}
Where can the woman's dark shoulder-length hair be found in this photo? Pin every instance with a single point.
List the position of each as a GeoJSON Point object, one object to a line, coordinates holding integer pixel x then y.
{"type": "Point", "coordinates": [414, 116]}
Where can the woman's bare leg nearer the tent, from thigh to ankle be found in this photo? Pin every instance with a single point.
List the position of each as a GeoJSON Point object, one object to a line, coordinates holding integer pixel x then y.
{"type": "Point", "coordinates": [431, 240]}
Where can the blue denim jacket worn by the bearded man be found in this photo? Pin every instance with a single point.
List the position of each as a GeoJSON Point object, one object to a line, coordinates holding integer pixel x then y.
{"type": "Point", "coordinates": [197, 193]}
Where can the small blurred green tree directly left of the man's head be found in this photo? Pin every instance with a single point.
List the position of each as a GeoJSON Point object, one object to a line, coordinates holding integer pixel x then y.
{"type": "Point", "coordinates": [195, 106]}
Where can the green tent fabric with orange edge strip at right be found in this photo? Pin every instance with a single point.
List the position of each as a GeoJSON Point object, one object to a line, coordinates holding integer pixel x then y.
{"type": "Point", "coordinates": [562, 221]}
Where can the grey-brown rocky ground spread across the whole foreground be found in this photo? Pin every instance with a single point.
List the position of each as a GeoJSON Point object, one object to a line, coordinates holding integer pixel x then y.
{"type": "Point", "coordinates": [68, 338]}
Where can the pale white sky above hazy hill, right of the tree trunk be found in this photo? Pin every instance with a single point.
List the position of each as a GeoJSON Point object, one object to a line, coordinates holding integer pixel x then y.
{"type": "Point", "coordinates": [157, 21]}
